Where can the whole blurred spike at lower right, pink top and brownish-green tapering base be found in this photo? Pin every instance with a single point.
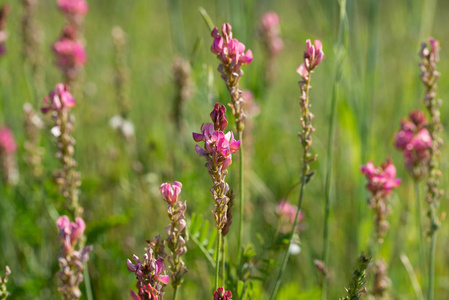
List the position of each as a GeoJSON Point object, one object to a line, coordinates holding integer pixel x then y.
{"type": "Point", "coordinates": [381, 181]}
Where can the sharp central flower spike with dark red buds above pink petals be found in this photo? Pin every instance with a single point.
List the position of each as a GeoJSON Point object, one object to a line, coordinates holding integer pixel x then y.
{"type": "Point", "coordinates": [218, 149]}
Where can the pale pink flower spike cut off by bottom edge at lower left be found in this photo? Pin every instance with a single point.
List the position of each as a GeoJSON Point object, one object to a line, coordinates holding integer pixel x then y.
{"type": "Point", "coordinates": [71, 260]}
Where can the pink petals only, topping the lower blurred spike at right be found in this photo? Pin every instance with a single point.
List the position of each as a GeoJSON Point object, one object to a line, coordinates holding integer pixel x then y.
{"type": "Point", "coordinates": [381, 180]}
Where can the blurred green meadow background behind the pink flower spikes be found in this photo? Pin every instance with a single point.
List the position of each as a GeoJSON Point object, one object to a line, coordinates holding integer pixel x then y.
{"type": "Point", "coordinates": [380, 85]}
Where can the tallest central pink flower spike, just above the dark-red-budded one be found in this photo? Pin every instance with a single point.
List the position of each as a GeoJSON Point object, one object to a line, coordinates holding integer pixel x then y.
{"type": "Point", "coordinates": [231, 54]}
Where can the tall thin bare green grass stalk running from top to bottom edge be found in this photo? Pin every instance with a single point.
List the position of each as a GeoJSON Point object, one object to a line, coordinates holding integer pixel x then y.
{"type": "Point", "coordinates": [341, 55]}
